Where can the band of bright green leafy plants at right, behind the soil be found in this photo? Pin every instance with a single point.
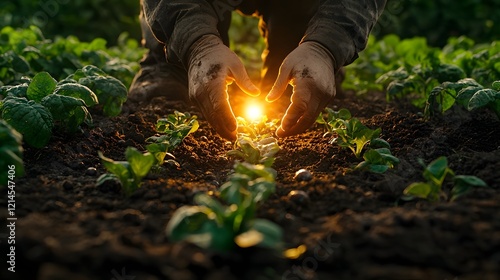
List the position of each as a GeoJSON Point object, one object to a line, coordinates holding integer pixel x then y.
{"type": "Point", "coordinates": [432, 78]}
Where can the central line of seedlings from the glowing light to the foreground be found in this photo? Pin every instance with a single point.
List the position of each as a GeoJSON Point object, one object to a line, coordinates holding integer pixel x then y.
{"type": "Point", "coordinates": [228, 219]}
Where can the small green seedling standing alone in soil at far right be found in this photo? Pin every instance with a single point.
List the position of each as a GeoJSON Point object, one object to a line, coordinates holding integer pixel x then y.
{"type": "Point", "coordinates": [435, 174]}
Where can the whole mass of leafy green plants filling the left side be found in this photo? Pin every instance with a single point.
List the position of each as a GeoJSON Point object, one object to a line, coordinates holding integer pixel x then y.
{"type": "Point", "coordinates": [48, 85]}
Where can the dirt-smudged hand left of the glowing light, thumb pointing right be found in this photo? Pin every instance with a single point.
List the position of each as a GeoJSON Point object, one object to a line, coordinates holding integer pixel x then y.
{"type": "Point", "coordinates": [212, 67]}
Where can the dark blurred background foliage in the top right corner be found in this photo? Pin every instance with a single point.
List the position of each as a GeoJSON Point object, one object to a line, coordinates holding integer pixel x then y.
{"type": "Point", "coordinates": [438, 20]}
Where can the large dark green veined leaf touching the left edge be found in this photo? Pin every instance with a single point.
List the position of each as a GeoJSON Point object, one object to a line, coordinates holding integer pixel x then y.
{"type": "Point", "coordinates": [31, 119]}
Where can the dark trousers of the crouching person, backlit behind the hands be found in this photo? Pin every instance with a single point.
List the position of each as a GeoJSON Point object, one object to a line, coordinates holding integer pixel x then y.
{"type": "Point", "coordinates": [282, 24]}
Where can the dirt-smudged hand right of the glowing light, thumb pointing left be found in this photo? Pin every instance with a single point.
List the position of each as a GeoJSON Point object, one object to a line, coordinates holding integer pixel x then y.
{"type": "Point", "coordinates": [310, 70]}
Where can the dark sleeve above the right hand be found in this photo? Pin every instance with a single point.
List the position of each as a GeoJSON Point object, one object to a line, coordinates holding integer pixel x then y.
{"type": "Point", "coordinates": [343, 26]}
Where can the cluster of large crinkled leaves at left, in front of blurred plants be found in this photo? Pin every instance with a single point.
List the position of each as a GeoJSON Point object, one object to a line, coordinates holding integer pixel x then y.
{"type": "Point", "coordinates": [36, 106]}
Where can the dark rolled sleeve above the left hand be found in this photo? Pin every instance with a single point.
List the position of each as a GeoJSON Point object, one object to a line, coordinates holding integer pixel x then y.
{"type": "Point", "coordinates": [179, 23]}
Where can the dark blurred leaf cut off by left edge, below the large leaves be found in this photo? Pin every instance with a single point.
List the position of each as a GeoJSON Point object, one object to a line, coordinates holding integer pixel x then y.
{"type": "Point", "coordinates": [11, 152]}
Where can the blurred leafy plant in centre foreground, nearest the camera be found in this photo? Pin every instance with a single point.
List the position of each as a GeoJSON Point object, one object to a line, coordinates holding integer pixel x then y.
{"type": "Point", "coordinates": [216, 226]}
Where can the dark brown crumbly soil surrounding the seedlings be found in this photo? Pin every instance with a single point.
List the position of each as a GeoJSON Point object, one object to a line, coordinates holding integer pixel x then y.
{"type": "Point", "coordinates": [352, 223]}
